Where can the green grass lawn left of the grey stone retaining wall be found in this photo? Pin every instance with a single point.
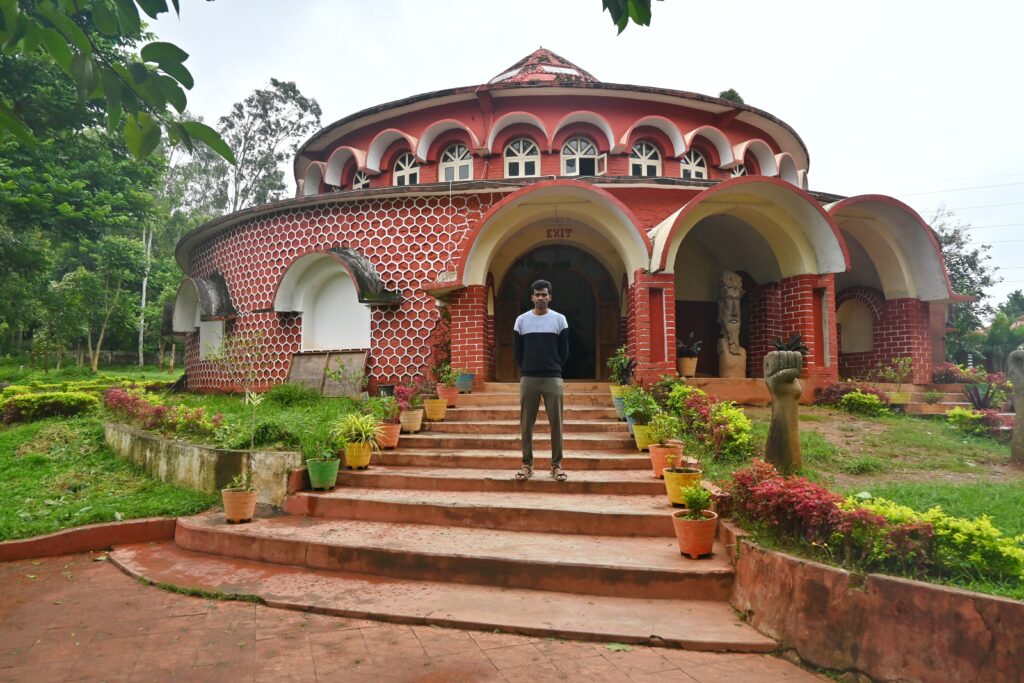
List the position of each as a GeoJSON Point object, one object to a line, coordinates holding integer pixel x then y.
{"type": "Point", "coordinates": [59, 474]}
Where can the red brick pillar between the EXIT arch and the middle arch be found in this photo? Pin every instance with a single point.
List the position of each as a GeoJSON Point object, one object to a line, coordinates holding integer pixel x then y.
{"type": "Point", "coordinates": [652, 325]}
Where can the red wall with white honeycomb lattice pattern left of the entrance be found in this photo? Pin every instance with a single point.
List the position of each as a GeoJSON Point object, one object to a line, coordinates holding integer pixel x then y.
{"type": "Point", "coordinates": [411, 242]}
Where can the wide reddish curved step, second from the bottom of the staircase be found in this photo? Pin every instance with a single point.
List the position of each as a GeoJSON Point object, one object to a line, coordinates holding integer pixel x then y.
{"type": "Point", "coordinates": [643, 568]}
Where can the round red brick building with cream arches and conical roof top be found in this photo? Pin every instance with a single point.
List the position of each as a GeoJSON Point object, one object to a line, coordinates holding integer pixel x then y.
{"type": "Point", "coordinates": [631, 200]}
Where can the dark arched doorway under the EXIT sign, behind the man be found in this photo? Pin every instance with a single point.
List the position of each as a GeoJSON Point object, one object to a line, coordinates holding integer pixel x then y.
{"type": "Point", "coordinates": [583, 290]}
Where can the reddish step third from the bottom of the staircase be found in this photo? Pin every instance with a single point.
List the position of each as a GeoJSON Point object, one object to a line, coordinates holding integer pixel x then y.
{"type": "Point", "coordinates": [549, 514]}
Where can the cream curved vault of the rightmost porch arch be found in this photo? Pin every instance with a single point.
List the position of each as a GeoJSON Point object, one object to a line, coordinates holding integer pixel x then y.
{"type": "Point", "coordinates": [900, 244]}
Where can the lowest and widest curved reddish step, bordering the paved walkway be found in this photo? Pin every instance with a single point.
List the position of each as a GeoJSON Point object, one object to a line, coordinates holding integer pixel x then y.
{"type": "Point", "coordinates": [450, 606]}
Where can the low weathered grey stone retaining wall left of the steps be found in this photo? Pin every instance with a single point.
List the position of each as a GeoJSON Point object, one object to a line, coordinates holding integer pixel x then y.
{"type": "Point", "coordinates": [204, 468]}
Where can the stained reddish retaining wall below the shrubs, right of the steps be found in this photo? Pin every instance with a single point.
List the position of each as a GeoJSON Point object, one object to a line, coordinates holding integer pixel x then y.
{"type": "Point", "coordinates": [890, 629]}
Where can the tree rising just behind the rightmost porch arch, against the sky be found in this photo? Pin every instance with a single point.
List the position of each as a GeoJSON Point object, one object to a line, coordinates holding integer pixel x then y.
{"type": "Point", "coordinates": [971, 274]}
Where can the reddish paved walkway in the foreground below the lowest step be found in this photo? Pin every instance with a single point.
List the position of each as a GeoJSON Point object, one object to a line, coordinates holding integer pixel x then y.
{"type": "Point", "coordinates": [74, 619]}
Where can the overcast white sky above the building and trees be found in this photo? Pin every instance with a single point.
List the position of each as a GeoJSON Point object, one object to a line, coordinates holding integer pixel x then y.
{"type": "Point", "coordinates": [922, 101]}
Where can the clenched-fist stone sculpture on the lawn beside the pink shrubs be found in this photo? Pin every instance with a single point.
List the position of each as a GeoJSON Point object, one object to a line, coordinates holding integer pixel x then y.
{"type": "Point", "coordinates": [782, 376]}
